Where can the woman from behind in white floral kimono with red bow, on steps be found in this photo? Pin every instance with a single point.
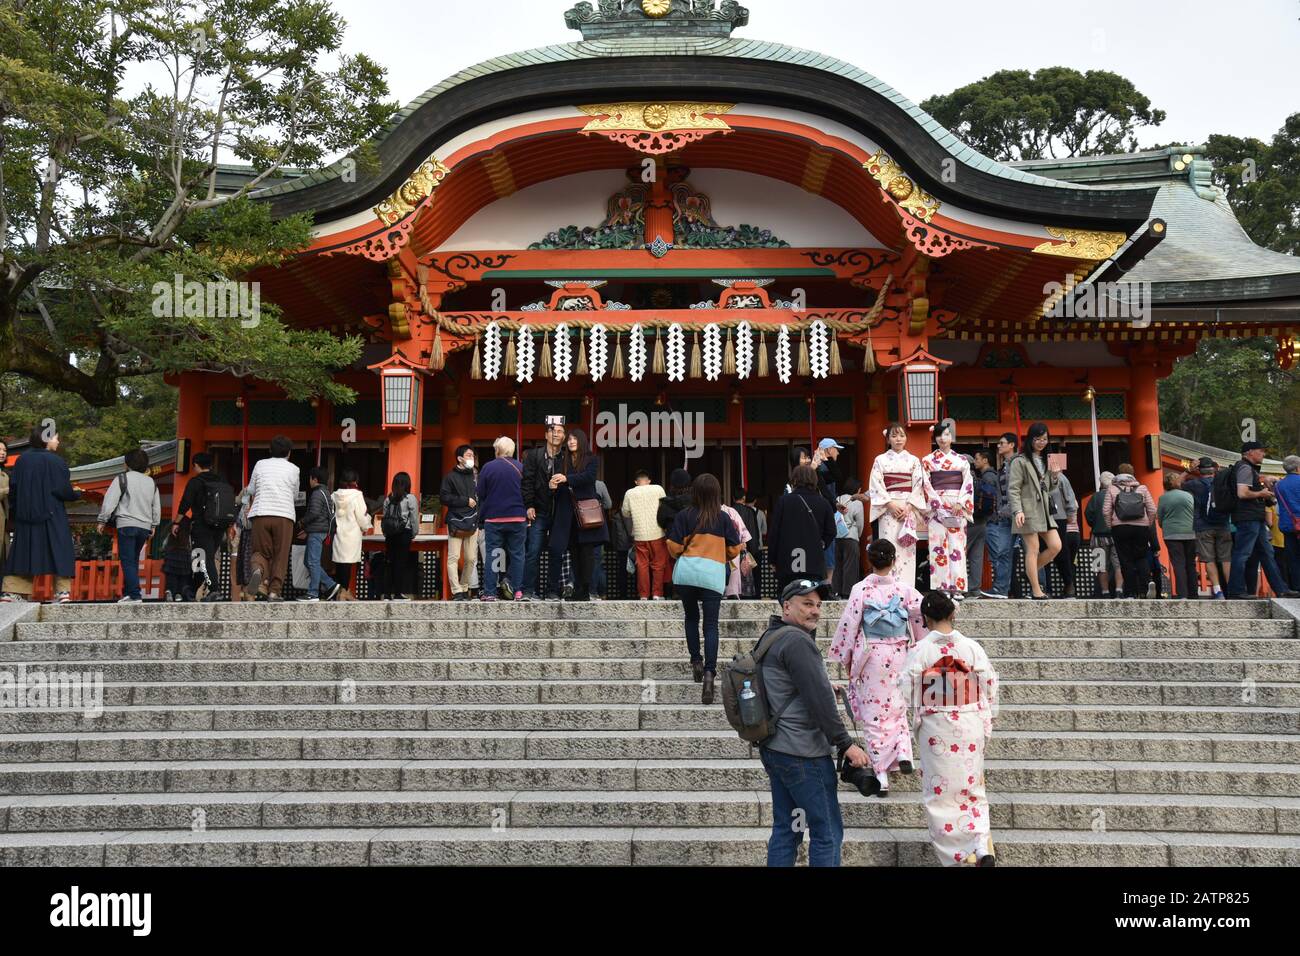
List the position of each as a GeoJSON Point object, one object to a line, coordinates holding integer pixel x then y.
{"type": "Point", "coordinates": [954, 691]}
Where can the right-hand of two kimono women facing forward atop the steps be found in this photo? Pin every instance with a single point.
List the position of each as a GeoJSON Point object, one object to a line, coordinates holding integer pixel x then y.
{"type": "Point", "coordinates": [951, 498]}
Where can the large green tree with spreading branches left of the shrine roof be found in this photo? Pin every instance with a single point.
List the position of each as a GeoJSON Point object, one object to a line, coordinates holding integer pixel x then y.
{"type": "Point", "coordinates": [107, 197]}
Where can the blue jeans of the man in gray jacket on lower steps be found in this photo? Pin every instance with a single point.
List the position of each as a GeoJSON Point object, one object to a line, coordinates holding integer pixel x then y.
{"type": "Point", "coordinates": [804, 798]}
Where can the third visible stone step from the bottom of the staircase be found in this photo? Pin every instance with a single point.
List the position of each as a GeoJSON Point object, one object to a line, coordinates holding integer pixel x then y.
{"type": "Point", "coordinates": [232, 776]}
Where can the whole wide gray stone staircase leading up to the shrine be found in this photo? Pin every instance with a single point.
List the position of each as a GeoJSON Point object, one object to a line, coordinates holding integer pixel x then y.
{"type": "Point", "coordinates": [1130, 733]}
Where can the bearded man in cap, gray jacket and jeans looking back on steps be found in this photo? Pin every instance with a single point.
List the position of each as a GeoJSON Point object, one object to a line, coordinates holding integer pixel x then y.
{"type": "Point", "coordinates": [798, 758]}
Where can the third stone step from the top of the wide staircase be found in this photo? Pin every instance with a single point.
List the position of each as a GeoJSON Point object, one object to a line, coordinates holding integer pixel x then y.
{"type": "Point", "coordinates": [255, 648]}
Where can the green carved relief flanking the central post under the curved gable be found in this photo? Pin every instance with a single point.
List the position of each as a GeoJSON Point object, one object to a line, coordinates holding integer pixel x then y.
{"type": "Point", "coordinates": [694, 224]}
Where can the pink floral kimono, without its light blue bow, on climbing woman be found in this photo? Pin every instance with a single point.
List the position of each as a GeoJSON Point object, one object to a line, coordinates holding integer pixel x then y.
{"type": "Point", "coordinates": [876, 698]}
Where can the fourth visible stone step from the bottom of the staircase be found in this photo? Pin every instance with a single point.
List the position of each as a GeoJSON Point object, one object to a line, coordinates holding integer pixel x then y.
{"type": "Point", "coordinates": [704, 745]}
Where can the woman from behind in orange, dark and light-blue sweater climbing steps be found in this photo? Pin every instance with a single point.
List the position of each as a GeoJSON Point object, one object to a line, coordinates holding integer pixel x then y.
{"type": "Point", "coordinates": [703, 540]}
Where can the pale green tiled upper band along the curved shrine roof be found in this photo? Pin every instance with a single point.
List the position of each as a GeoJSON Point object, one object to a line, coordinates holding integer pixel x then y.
{"type": "Point", "coordinates": [687, 46]}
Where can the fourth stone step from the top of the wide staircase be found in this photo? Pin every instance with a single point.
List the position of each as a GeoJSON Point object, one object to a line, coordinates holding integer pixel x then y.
{"type": "Point", "coordinates": [631, 669]}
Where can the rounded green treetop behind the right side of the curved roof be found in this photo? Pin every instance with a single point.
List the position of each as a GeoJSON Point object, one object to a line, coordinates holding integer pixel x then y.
{"type": "Point", "coordinates": [1056, 113]}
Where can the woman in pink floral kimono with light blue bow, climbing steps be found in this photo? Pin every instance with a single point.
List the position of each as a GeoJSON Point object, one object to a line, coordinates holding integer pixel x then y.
{"type": "Point", "coordinates": [879, 626]}
